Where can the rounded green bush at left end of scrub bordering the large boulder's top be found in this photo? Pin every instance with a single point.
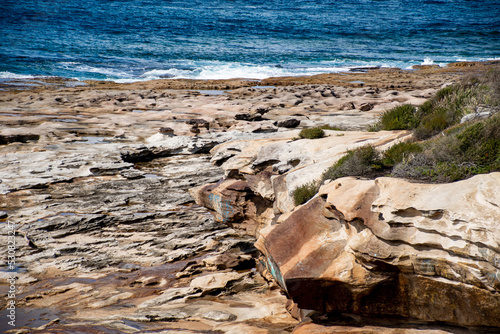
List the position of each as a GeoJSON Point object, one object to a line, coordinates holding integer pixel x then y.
{"type": "Point", "coordinates": [362, 161]}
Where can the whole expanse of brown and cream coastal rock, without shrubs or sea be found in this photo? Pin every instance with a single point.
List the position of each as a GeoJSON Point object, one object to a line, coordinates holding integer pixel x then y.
{"type": "Point", "coordinates": [166, 206]}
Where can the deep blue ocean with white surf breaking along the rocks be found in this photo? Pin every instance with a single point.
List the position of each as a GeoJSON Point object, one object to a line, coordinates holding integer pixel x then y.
{"type": "Point", "coordinates": [131, 40]}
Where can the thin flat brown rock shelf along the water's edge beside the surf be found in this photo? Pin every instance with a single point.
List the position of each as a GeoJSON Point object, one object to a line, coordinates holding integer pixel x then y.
{"type": "Point", "coordinates": [355, 77]}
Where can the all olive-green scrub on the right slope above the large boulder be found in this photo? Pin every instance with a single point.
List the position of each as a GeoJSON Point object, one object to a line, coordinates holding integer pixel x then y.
{"type": "Point", "coordinates": [442, 149]}
